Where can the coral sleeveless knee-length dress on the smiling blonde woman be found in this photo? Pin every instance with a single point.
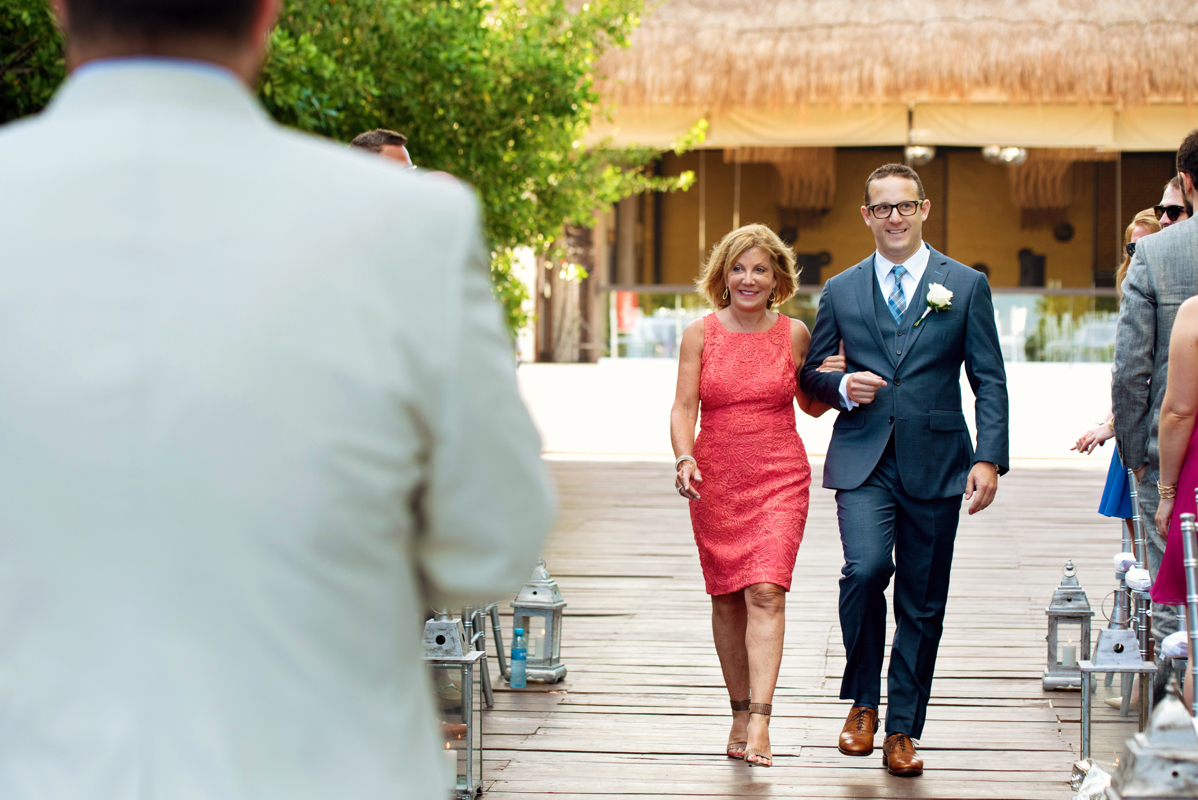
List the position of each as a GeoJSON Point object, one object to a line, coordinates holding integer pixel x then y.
{"type": "Point", "coordinates": [757, 482]}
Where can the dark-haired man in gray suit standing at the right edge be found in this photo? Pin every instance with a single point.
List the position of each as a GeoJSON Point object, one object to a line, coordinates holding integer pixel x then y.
{"type": "Point", "coordinates": [1163, 275]}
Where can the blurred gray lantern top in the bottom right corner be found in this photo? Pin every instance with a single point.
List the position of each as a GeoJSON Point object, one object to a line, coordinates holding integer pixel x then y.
{"type": "Point", "coordinates": [1163, 762]}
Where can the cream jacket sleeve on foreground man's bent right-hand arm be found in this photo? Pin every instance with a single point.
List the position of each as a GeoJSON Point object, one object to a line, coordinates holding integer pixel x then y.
{"type": "Point", "coordinates": [488, 504]}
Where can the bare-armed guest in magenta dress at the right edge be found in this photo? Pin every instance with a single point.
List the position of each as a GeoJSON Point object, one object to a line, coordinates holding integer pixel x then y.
{"type": "Point", "coordinates": [1179, 459]}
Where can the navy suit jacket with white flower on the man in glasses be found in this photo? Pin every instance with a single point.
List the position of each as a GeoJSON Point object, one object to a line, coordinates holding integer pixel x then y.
{"type": "Point", "coordinates": [921, 405]}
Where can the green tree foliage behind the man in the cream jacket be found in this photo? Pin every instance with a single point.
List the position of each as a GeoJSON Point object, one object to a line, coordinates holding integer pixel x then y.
{"type": "Point", "coordinates": [498, 93]}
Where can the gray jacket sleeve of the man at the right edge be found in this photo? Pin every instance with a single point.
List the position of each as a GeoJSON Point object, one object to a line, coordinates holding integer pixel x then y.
{"type": "Point", "coordinates": [1135, 346]}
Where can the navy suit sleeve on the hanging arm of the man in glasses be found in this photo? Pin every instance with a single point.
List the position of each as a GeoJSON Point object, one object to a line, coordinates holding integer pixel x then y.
{"type": "Point", "coordinates": [988, 378]}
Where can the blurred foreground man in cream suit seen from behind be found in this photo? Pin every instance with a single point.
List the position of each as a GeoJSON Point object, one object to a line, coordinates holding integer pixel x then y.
{"type": "Point", "coordinates": [258, 411]}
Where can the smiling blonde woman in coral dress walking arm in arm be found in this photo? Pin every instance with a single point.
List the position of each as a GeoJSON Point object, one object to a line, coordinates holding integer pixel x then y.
{"type": "Point", "coordinates": [747, 475]}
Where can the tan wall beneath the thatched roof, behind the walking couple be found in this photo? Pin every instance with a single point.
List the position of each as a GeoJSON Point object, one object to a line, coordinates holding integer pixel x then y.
{"type": "Point", "coordinates": [977, 222]}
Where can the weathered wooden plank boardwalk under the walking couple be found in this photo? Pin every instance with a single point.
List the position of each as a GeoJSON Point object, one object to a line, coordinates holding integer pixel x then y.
{"type": "Point", "coordinates": [644, 711]}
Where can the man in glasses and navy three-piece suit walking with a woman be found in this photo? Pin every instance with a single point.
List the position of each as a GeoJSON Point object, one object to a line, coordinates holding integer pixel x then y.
{"type": "Point", "coordinates": [900, 457]}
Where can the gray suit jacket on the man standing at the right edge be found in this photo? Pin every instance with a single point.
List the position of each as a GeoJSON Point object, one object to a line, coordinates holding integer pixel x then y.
{"type": "Point", "coordinates": [1164, 274]}
